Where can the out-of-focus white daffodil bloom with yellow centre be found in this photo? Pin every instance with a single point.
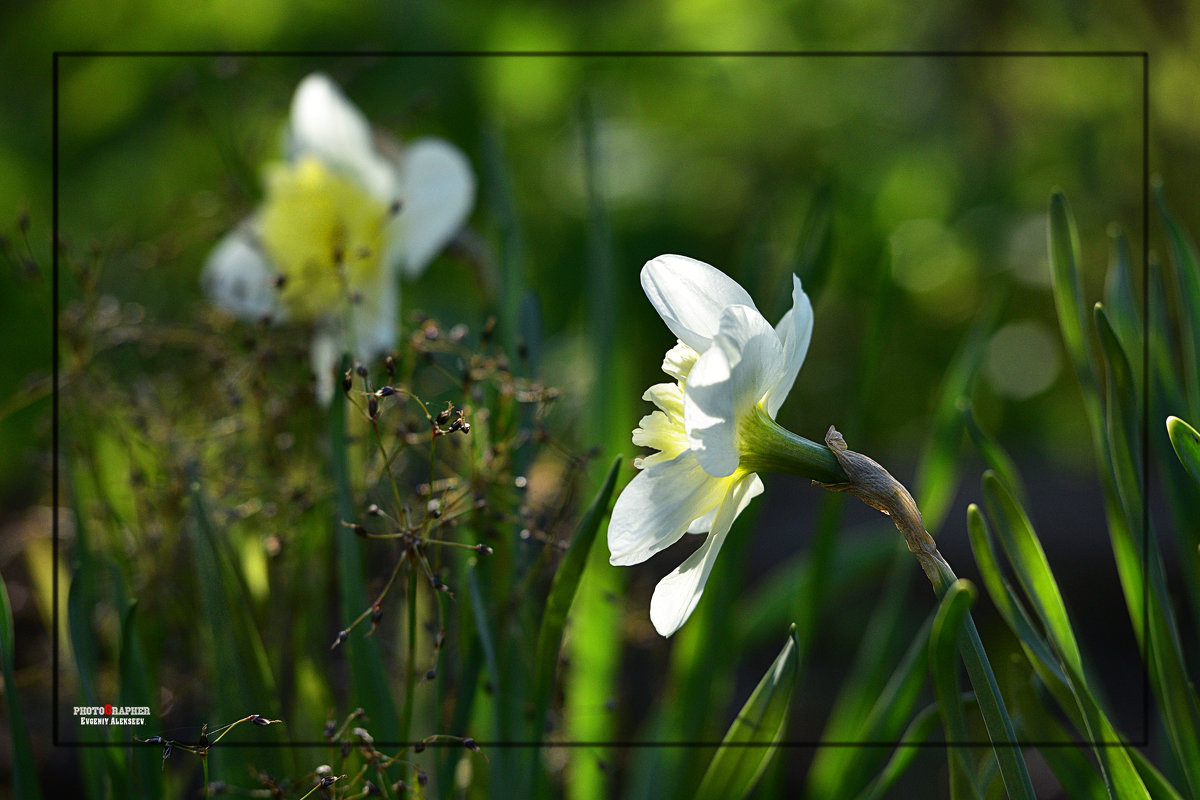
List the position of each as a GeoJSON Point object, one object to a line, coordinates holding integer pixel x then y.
{"type": "Point", "coordinates": [340, 220]}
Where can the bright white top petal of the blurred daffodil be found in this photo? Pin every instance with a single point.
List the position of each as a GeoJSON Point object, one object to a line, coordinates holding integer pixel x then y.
{"type": "Point", "coordinates": [329, 127]}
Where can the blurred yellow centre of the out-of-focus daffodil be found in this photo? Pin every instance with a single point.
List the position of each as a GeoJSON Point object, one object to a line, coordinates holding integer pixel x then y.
{"type": "Point", "coordinates": [323, 234]}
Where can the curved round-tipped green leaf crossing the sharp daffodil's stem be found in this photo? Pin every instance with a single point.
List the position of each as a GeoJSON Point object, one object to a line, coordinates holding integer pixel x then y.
{"type": "Point", "coordinates": [944, 666]}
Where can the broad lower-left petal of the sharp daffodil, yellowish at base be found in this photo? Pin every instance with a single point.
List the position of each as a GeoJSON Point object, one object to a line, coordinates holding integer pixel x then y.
{"type": "Point", "coordinates": [657, 507]}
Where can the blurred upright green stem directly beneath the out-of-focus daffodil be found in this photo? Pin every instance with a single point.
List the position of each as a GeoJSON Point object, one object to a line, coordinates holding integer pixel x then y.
{"type": "Point", "coordinates": [370, 679]}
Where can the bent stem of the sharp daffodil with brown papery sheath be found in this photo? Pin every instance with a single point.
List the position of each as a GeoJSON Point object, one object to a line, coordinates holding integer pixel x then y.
{"type": "Point", "coordinates": [875, 486]}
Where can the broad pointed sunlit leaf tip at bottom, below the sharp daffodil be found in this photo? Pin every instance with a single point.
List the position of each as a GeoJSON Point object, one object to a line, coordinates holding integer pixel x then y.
{"type": "Point", "coordinates": [759, 726]}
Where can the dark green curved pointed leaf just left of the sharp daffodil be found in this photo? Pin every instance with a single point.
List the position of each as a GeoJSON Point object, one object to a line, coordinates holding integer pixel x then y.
{"type": "Point", "coordinates": [562, 593]}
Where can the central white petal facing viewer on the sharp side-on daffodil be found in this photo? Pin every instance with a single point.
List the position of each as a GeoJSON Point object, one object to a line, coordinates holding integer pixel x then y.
{"type": "Point", "coordinates": [745, 363]}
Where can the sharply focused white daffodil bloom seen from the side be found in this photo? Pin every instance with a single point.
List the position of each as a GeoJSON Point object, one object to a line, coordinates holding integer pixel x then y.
{"type": "Point", "coordinates": [715, 428]}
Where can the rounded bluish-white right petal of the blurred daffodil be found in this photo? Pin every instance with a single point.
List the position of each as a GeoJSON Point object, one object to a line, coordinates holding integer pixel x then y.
{"type": "Point", "coordinates": [437, 193]}
